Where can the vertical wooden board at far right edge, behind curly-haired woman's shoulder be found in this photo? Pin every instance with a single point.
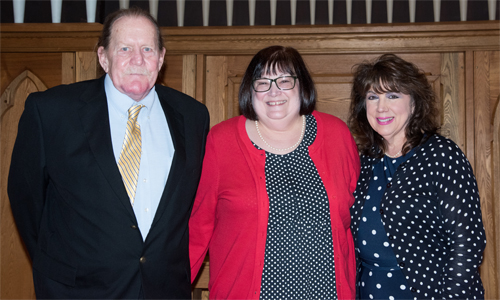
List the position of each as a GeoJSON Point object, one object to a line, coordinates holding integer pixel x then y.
{"type": "Point", "coordinates": [483, 138]}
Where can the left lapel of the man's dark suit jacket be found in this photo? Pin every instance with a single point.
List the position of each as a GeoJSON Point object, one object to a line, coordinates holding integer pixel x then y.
{"type": "Point", "coordinates": [95, 120]}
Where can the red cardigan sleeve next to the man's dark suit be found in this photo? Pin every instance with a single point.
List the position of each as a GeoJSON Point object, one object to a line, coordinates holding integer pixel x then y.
{"type": "Point", "coordinates": [202, 221]}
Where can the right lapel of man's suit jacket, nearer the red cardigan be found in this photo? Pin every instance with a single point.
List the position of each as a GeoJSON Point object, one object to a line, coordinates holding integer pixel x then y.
{"type": "Point", "coordinates": [175, 122]}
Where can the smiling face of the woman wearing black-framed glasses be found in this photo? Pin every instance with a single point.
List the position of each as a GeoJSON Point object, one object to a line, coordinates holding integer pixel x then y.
{"type": "Point", "coordinates": [276, 104]}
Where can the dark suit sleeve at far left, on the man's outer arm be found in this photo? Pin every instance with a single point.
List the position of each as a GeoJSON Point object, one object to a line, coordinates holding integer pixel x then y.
{"type": "Point", "coordinates": [27, 177]}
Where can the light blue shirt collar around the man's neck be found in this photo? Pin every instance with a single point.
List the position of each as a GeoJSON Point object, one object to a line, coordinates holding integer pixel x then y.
{"type": "Point", "coordinates": [122, 102]}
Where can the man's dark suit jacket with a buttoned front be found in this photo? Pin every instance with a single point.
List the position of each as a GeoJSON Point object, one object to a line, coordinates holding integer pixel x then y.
{"type": "Point", "coordinates": [72, 209]}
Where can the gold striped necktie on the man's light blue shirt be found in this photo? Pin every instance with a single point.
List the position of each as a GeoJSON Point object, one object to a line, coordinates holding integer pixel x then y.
{"type": "Point", "coordinates": [130, 156]}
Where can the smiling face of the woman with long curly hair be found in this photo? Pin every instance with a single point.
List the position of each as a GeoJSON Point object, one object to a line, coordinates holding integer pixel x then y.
{"type": "Point", "coordinates": [388, 115]}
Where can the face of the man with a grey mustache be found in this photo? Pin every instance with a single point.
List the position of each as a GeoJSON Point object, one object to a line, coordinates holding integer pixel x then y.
{"type": "Point", "coordinates": [132, 59]}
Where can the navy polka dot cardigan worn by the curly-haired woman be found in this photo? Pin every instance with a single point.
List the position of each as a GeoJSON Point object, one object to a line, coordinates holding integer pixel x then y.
{"type": "Point", "coordinates": [432, 218]}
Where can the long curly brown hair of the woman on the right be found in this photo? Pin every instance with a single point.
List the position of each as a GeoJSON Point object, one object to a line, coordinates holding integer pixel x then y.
{"type": "Point", "coordinates": [390, 73]}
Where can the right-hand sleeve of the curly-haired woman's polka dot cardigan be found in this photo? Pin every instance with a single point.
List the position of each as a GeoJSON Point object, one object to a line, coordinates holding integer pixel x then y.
{"type": "Point", "coordinates": [460, 207]}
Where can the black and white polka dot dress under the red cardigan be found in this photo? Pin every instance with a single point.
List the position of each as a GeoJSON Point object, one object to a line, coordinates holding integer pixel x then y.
{"type": "Point", "coordinates": [298, 261]}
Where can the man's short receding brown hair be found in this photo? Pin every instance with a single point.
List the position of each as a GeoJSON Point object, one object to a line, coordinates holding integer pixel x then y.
{"type": "Point", "coordinates": [135, 12]}
